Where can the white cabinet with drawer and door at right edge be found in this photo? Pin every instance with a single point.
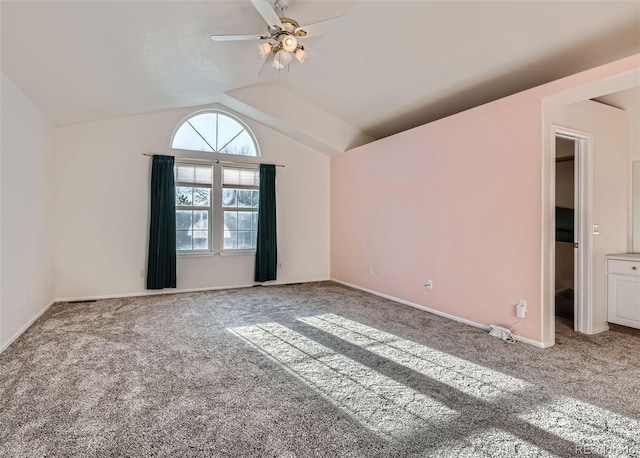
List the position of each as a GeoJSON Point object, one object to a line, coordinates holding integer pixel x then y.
{"type": "Point", "coordinates": [623, 289]}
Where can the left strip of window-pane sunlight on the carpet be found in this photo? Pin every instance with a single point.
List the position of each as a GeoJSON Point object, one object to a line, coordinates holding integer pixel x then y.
{"type": "Point", "coordinates": [380, 403]}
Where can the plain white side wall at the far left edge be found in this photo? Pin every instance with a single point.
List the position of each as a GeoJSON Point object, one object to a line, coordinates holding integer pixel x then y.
{"type": "Point", "coordinates": [27, 183]}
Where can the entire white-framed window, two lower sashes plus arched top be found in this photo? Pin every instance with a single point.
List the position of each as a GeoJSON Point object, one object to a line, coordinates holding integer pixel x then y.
{"type": "Point", "coordinates": [216, 204]}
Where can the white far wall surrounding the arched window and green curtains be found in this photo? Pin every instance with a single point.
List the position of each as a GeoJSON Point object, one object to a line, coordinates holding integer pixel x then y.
{"type": "Point", "coordinates": [102, 208]}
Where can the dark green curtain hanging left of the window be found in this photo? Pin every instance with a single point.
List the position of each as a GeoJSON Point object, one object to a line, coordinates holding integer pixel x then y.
{"type": "Point", "coordinates": [161, 266]}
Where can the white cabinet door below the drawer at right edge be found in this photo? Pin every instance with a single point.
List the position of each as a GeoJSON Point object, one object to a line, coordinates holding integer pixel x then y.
{"type": "Point", "coordinates": [624, 300]}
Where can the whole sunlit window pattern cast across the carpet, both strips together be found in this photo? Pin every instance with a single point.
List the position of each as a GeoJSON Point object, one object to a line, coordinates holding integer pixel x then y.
{"type": "Point", "coordinates": [483, 411]}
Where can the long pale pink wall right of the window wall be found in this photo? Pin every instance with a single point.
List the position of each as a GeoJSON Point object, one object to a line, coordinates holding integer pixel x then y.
{"type": "Point", "coordinates": [458, 201]}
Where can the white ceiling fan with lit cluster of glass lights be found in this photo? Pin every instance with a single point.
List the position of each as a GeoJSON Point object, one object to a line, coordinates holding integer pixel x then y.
{"type": "Point", "coordinates": [282, 40]}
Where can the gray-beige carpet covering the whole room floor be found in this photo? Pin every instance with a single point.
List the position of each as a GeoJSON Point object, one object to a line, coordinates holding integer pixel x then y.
{"type": "Point", "coordinates": [307, 370]}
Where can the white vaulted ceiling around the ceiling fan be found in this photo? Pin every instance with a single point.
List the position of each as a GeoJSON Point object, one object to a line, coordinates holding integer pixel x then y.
{"type": "Point", "coordinates": [393, 66]}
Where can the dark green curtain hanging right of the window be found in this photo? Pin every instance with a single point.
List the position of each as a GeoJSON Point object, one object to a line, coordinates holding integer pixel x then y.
{"type": "Point", "coordinates": [267, 247]}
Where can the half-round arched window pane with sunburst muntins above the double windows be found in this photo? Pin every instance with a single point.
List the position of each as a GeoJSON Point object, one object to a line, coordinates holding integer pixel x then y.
{"type": "Point", "coordinates": [215, 132]}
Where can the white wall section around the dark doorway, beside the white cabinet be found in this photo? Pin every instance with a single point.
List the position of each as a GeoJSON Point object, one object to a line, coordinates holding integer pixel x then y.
{"type": "Point", "coordinates": [610, 205]}
